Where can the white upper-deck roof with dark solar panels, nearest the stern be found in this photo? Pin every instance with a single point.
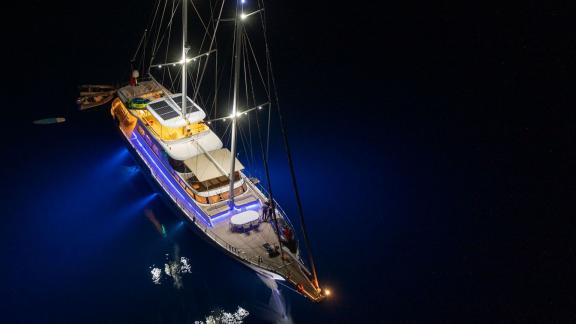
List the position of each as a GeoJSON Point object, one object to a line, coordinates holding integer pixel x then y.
{"type": "Point", "coordinates": [167, 110]}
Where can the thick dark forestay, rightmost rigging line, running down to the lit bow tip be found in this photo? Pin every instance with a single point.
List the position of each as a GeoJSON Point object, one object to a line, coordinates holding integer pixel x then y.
{"type": "Point", "coordinates": [292, 171]}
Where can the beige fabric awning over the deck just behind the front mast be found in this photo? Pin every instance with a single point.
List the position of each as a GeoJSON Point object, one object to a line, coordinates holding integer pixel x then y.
{"type": "Point", "coordinates": [204, 168]}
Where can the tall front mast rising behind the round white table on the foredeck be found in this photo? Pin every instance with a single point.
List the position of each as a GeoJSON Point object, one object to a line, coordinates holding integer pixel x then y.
{"type": "Point", "coordinates": [238, 39]}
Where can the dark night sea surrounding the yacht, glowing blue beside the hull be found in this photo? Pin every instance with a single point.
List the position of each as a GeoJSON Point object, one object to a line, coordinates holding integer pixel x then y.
{"type": "Point", "coordinates": [434, 142]}
